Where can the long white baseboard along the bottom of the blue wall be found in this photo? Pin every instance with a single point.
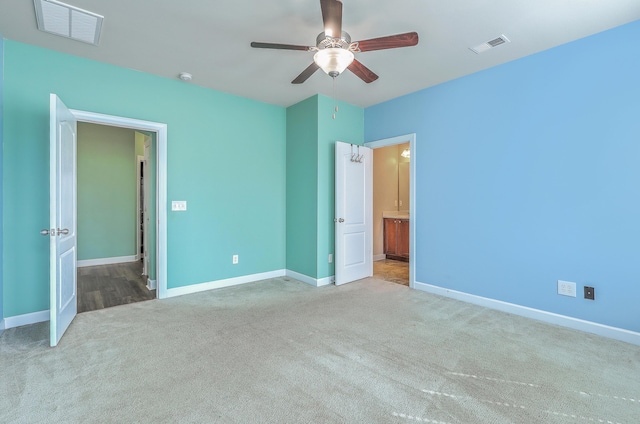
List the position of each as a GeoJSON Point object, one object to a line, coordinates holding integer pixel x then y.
{"type": "Point", "coordinates": [537, 314]}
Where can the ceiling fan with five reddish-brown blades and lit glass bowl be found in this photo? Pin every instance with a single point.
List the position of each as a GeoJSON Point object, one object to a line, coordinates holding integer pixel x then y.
{"type": "Point", "coordinates": [334, 51]}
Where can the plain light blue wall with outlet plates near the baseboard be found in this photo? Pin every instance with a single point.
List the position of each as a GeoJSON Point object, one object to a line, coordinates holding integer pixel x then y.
{"type": "Point", "coordinates": [528, 173]}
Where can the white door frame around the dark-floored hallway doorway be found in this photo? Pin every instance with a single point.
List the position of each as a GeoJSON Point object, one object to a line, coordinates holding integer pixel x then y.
{"type": "Point", "coordinates": [161, 184]}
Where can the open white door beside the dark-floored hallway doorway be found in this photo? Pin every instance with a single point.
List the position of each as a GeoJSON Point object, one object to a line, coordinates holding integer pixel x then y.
{"type": "Point", "coordinates": [62, 218]}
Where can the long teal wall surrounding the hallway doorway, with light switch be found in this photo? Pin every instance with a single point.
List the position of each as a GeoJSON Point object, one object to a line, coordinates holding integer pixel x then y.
{"type": "Point", "coordinates": [226, 158]}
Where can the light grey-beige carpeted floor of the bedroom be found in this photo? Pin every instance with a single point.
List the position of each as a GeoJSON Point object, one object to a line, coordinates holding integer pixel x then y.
{"type": "Point", "coordinates": [281, 351]}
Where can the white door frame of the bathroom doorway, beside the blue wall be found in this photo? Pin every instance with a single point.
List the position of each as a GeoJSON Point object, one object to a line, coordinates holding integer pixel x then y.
{"type": "Point", "coordinates": [411, 138]}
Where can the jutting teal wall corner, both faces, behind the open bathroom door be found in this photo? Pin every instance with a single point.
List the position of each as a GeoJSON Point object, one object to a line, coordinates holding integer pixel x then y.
{"type": "Point", "coordinates": [311, 136]}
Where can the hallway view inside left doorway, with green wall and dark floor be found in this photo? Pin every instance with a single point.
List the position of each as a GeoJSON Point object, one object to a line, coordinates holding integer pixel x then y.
{"type": "Point", "coordinates": [112, 248]}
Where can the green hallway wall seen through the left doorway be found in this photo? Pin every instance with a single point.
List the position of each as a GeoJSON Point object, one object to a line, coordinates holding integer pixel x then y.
{"type": "Point", "coordinates": [106, 192]}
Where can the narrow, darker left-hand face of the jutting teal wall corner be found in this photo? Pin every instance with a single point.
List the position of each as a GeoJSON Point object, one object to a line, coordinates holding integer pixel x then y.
{"type": "Point", "coordinates": [302, 180]}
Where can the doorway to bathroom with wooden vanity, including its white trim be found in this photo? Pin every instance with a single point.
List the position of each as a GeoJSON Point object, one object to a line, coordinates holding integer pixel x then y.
{"type": "Point", "coordinates": [393, 209]}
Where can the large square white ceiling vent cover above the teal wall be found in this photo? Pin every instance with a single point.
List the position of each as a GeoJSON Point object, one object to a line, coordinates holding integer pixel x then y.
{"type": "Point", "coordinates": [68, 21]}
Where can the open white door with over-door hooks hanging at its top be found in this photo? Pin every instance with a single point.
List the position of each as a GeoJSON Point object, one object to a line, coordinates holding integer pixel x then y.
{"type": "Point", "coordinates": [354, 206]}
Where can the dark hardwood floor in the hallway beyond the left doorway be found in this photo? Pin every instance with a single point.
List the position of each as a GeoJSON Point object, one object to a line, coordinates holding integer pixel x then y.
{"type": "Point", "coordinates": [104, 286]}
